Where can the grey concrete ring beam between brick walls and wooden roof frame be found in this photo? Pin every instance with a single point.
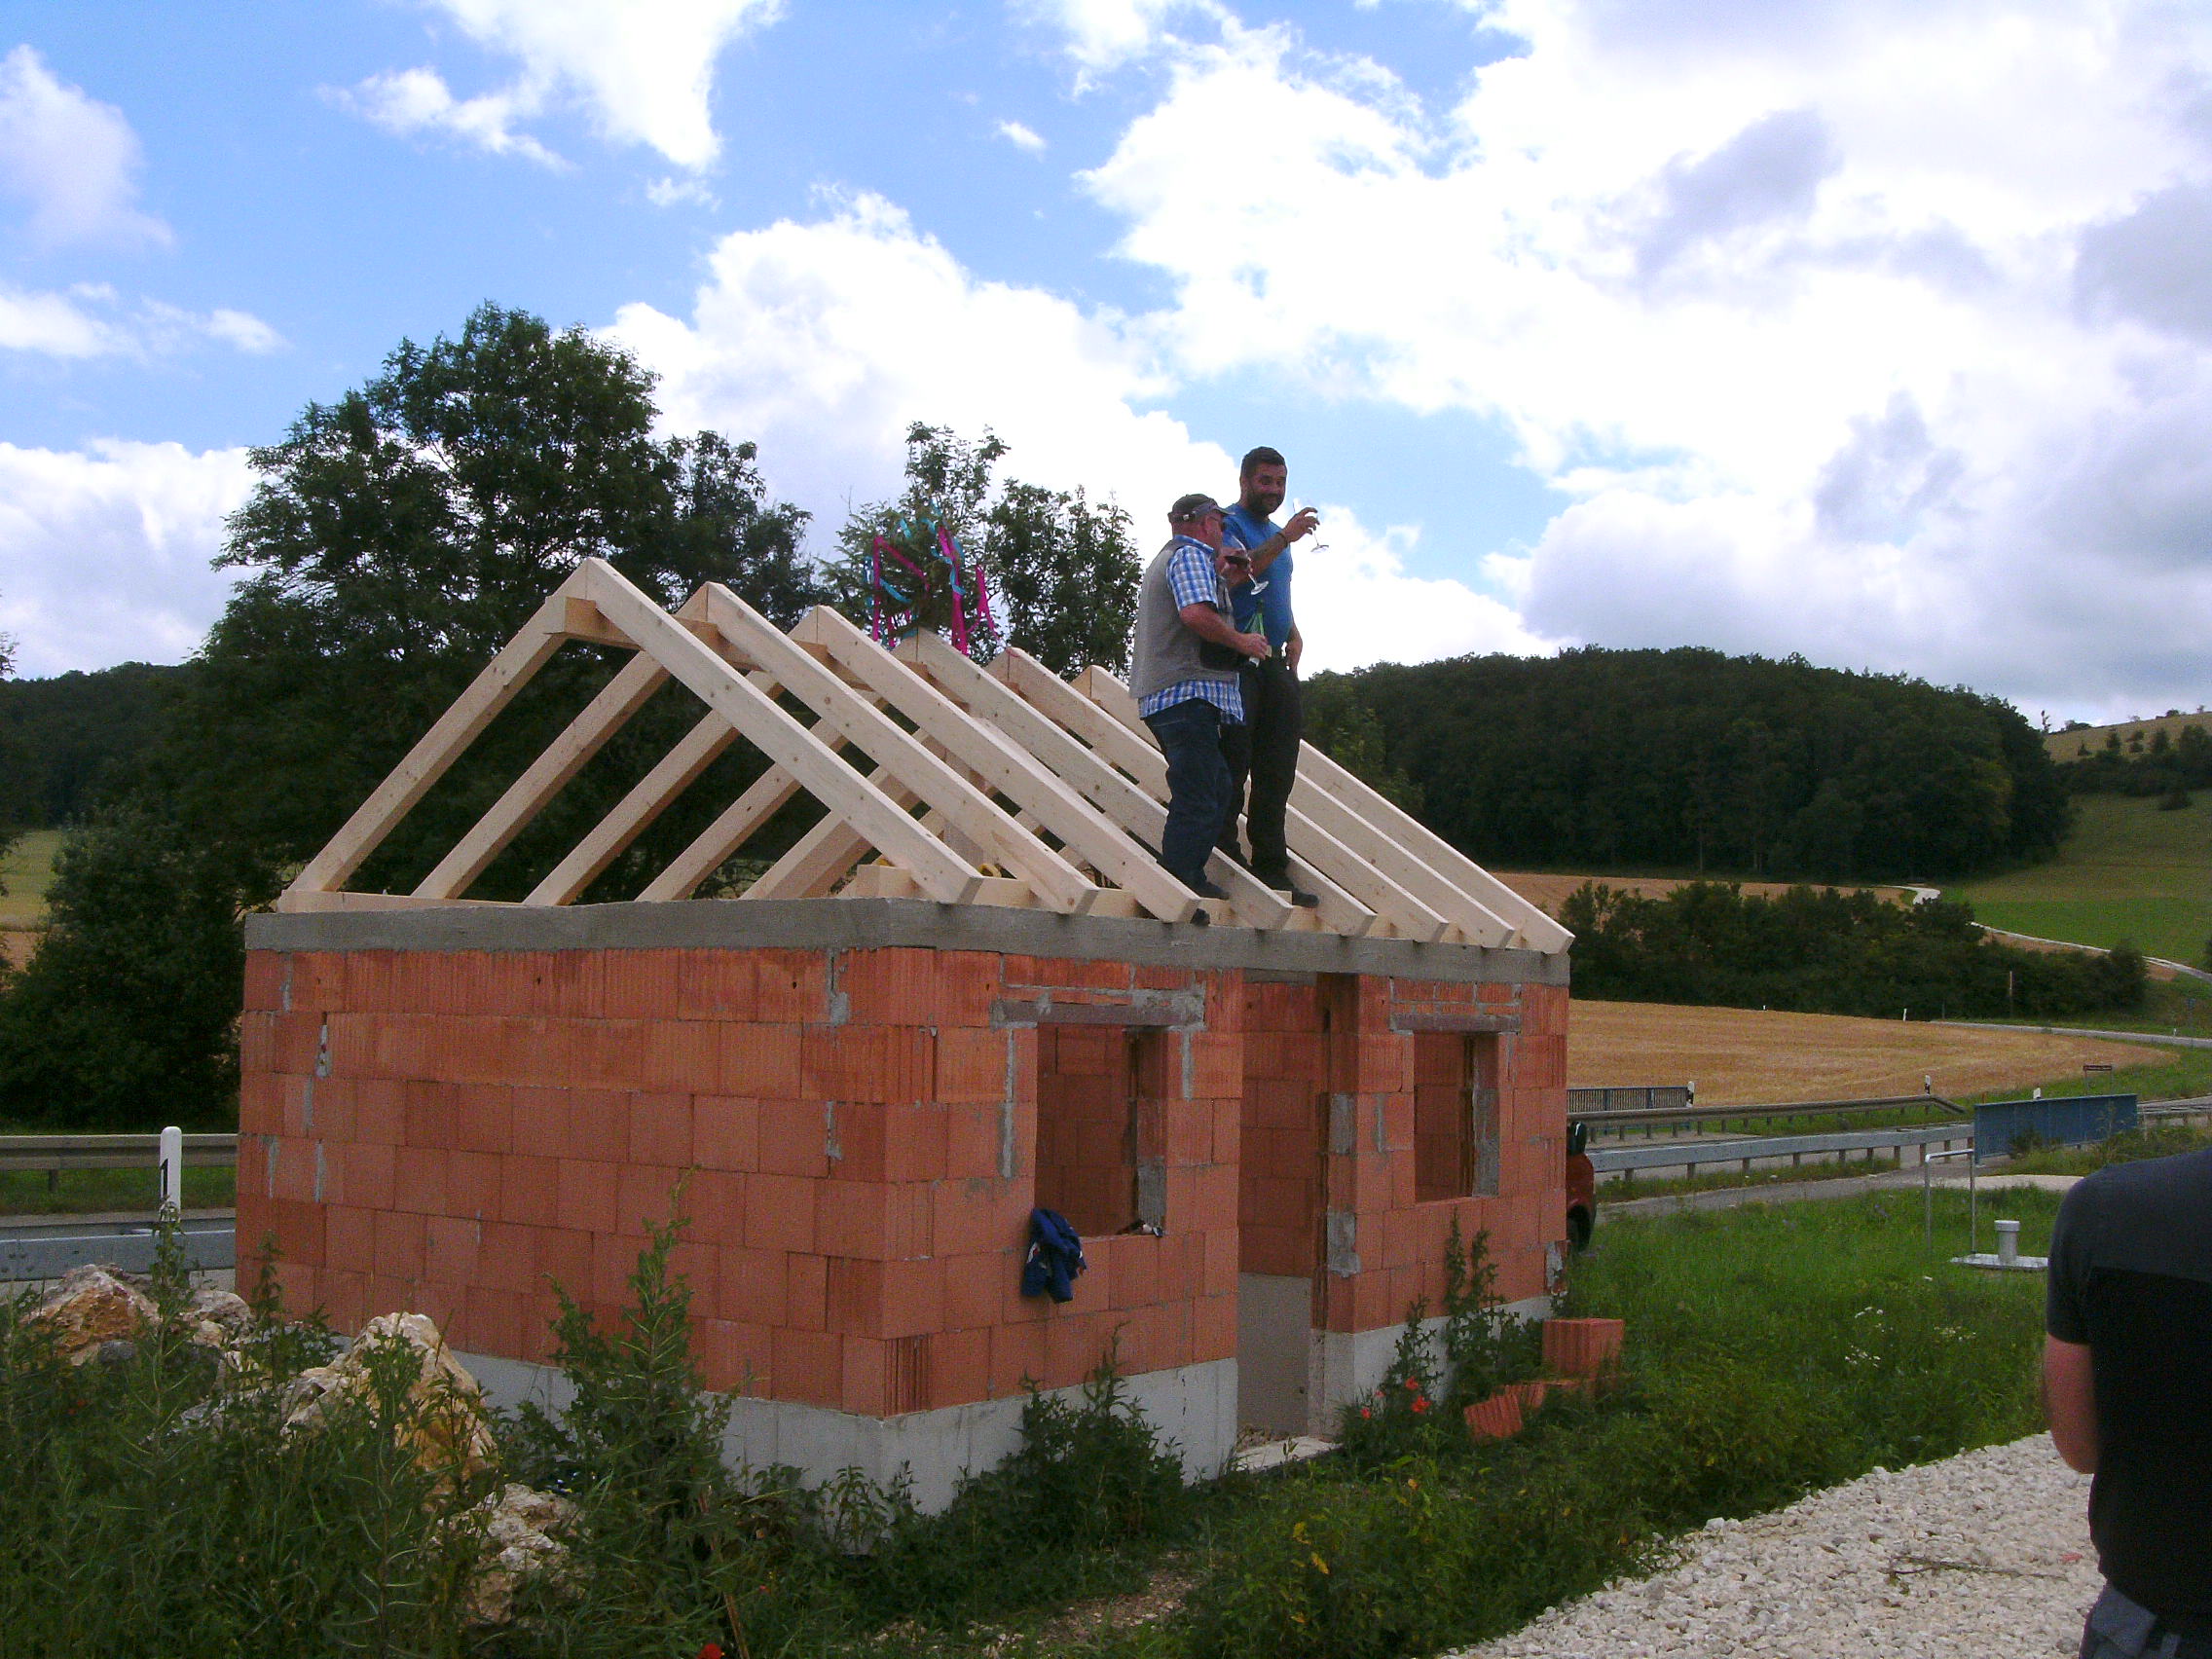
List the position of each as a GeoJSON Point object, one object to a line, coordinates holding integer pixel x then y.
{"type": "Point", "coordinates": [873, 924]}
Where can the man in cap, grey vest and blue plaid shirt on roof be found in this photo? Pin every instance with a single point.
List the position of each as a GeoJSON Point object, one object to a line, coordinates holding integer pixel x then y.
{"type": "Point", "coordinates": [1187, 680]}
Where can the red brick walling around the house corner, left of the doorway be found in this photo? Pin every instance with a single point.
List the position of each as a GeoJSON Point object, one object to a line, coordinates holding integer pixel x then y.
{"type": "Point", "coordinates": [455, 1131]}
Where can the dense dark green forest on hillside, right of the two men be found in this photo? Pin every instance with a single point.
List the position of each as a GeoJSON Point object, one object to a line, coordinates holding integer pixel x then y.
{"type": "Point", "coordinates": [1691, 760]}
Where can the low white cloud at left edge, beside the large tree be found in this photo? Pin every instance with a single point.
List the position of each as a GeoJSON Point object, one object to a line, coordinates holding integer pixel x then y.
{"type": "Point", "coordinates": [105, 552]}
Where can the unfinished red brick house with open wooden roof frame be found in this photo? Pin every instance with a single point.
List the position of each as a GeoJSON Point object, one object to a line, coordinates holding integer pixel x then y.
{"type": "Point", "coordinates": [966, 992]}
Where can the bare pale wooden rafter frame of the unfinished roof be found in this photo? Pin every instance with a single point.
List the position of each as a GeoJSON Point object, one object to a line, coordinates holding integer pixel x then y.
{"type": "Point", "coordinates": [939, 780]}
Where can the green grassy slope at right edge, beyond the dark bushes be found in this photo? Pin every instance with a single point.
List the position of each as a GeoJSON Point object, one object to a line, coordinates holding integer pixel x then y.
{"type": "Point", "coordinates": [2127, 873]}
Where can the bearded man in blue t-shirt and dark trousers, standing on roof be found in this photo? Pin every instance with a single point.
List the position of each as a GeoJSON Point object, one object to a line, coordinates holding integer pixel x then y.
{"type": "Point", "coordinates": [1266, 747]}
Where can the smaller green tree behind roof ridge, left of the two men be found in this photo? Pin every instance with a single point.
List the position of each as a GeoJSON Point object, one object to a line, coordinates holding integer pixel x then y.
{"type": "Point", "coordinates": [1063, 572]}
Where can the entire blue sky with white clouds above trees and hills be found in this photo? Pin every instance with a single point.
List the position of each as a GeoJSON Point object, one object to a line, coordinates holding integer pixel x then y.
{"type": "Point", "coordinates": [1875, 333]}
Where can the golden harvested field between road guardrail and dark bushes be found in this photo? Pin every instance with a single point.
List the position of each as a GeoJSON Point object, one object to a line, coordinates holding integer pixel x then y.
{"type": "Point", "coordinates": [1744, 1056]}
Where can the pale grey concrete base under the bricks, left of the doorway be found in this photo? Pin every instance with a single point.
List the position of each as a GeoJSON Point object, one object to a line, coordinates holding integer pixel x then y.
{"type": "Point", "coordinates": [1193, 1408]}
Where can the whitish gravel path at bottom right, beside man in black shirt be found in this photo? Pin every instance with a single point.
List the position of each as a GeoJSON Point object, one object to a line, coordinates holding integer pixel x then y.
{"type": "Point", "coordinates": [1983, 1556]}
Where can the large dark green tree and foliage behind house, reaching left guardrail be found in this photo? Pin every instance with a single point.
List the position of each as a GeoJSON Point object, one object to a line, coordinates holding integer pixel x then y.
{"type": "Point", "coordinates": [393, 543]}
